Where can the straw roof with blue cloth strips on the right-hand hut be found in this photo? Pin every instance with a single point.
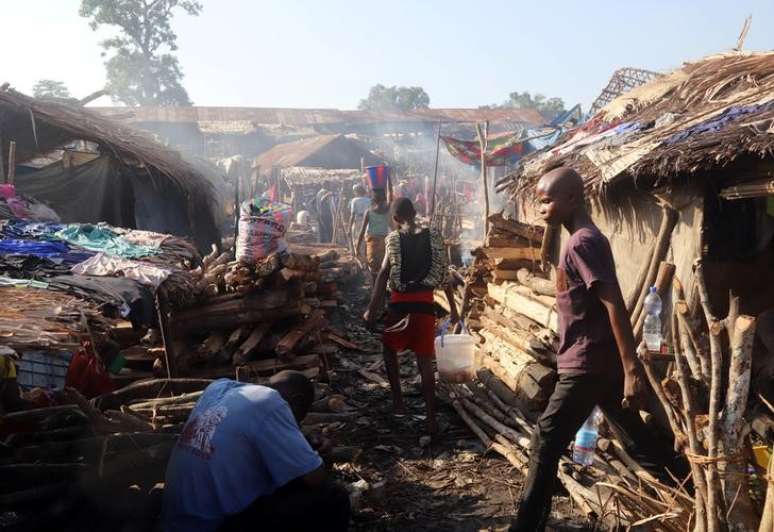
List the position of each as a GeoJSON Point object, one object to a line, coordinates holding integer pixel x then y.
{"type": "Point", "coordinates": [692, 122]}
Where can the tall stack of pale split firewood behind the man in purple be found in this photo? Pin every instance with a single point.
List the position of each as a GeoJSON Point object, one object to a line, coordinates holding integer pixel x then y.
{"type": "Point", "coordinates": [510, 308]}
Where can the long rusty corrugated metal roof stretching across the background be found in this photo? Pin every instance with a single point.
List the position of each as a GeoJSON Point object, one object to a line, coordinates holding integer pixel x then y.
{"type": "Point", "coordinates": [307, 117]}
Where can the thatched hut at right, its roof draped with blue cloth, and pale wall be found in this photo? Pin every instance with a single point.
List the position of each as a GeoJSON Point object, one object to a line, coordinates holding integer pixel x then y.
{"type": "Point", "coordinates": [698, 141]}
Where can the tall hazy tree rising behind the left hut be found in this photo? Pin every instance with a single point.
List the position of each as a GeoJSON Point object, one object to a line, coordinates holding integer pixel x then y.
{"type": "Point", "coordinates": [142, 68]}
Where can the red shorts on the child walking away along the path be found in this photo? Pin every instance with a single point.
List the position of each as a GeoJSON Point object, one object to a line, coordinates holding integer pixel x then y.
{"type": "Point", "coordinates": [419, 336]}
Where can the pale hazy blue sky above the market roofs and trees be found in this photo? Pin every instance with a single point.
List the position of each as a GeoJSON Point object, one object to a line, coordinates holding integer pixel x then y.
{"type": "Point", "coordinates": [327, 53]}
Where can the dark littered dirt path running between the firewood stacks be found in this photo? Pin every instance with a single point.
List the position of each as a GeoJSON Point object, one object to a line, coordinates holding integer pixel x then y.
{"type": "Point", "coordinates": [452, 484]}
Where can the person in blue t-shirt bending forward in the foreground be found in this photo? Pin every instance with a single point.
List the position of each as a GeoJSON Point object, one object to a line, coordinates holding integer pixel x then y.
{"type": "Point", "coordinates": [242, 463]}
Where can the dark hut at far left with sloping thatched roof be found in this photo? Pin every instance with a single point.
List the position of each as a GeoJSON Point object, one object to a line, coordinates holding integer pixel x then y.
{"type": "Point", "coordinates": [134, 182]}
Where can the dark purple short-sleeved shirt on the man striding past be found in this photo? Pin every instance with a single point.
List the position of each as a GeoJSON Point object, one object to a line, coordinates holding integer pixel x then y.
{"type": "Point", "coordinates": [586, 341]}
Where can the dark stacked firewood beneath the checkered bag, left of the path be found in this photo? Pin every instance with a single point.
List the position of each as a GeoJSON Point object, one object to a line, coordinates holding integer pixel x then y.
{"type": "Point", "coordinates": [247, 313]}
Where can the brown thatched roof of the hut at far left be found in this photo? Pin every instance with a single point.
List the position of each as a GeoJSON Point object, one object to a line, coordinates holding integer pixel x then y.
{"type": "Point", "coordinates": [39, 126]}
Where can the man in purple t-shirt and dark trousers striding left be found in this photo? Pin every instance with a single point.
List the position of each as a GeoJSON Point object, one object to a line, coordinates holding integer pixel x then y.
{"type": "Point", "coordinates": [597, 358]}
